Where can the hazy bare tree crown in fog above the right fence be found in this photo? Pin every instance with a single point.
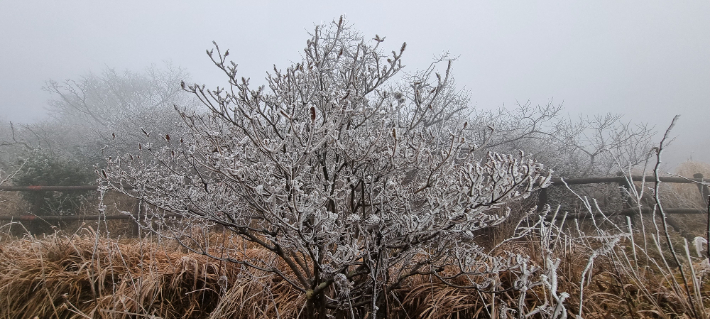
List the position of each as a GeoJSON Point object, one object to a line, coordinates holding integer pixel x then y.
{"type": "Point", "coordinates": [588, 146]}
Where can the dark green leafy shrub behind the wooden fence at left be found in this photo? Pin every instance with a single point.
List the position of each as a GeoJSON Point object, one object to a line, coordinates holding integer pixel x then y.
{"type": "Point", "coordinates": [47, 170]}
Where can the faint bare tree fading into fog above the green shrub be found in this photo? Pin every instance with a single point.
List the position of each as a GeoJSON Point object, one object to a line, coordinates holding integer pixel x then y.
{"type": "Point", "coordinates": [112, 107]}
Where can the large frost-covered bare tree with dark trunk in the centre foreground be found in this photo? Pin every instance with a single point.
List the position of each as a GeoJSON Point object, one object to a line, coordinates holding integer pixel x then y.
{"type": "Point", "coordinates": [331, 177]}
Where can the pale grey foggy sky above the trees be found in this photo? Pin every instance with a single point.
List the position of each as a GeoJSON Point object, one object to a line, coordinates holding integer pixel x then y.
{"type": "Point", "coordinates": [648, 60]}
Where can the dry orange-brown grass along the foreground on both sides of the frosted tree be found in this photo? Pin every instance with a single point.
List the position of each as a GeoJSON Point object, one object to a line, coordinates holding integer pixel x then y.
{"type": "Point", "coordinates": [82, 276]}
